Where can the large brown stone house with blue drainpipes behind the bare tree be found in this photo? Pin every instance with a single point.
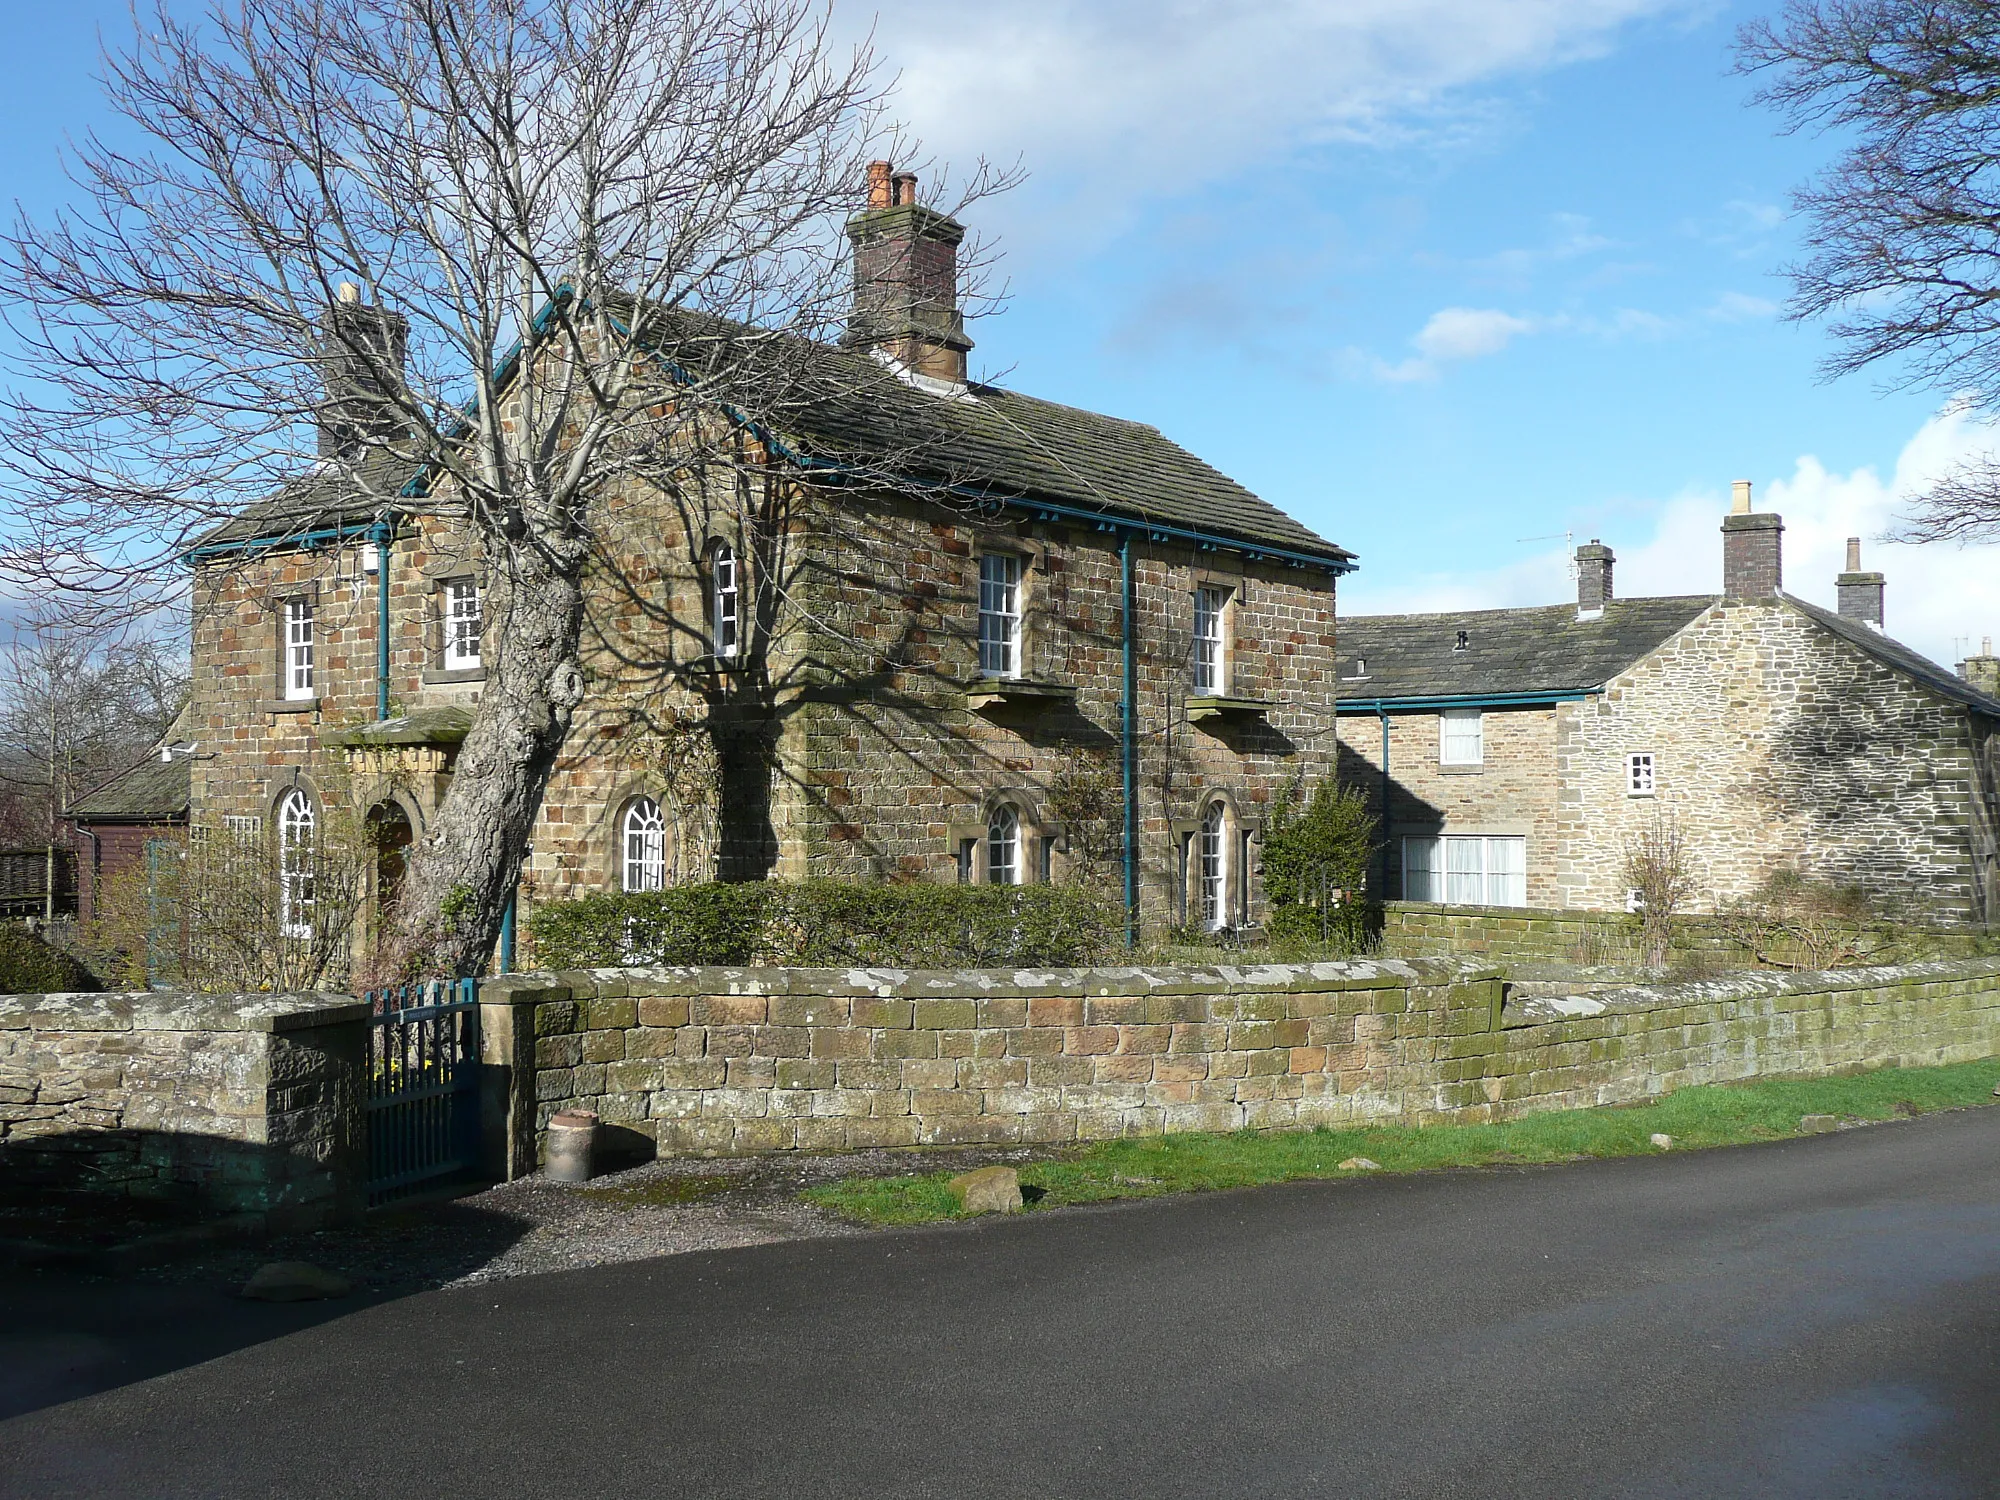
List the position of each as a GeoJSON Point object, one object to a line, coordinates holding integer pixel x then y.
{"type": "Point", "coordinates": [901, 691]}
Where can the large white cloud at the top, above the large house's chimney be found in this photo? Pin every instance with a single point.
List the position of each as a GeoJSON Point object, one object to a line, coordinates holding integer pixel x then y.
{"type": "Point", "coordinates": [1117, 101]}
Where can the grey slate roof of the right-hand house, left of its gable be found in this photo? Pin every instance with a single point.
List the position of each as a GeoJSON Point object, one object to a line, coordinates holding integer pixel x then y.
{"type": "Point", "coordinates": [1507, 653]}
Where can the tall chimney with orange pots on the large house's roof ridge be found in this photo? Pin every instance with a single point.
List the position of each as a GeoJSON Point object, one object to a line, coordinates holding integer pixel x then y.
{"type": "Point", "coordinates": [907, 279]}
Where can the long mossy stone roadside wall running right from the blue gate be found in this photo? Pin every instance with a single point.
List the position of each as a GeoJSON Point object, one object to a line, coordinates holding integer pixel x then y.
{"type": "Point", "coordinates": [723, 1063]}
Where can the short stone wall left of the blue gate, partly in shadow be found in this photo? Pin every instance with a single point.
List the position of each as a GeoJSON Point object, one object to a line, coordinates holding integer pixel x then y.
{"type": "Point", "coordinates": [243, 1105]}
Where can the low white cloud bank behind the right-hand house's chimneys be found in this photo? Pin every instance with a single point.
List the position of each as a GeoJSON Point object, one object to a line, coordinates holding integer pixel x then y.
{"type": "Point", "coordinates": [1939, 597]}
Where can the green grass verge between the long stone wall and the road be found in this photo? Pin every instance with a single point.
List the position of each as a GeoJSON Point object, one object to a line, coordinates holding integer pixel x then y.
{"type": "Point", "coordinates": [1721, 1115]}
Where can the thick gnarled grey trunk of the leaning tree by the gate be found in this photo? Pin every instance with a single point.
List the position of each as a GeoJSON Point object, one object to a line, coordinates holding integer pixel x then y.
{"type": "Point", "coordinates": [463, 873]}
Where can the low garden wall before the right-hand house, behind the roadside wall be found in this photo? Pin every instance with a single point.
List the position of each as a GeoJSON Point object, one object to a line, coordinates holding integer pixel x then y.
{"type": "Point", "coordinates": [1529, 935]}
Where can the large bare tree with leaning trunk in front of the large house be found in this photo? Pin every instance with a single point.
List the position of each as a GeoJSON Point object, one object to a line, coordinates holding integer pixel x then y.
{"type": "Point", "coordinates": [485, 261]}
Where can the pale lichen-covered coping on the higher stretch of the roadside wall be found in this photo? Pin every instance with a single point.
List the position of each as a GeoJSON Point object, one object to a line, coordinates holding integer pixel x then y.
{"type": "Point", "coordinates": [983, 983]}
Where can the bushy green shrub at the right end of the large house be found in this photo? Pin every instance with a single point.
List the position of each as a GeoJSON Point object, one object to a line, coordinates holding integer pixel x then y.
{"type": "Point", "coordinates": [1315, 865]}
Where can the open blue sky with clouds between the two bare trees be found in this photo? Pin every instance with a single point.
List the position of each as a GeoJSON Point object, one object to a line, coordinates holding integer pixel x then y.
{"type": "Point", "coordinates": [1447, 279]}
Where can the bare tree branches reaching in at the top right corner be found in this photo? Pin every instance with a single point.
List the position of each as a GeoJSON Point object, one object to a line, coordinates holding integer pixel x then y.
{"type": "Point", "coordinates": [1903, 249]}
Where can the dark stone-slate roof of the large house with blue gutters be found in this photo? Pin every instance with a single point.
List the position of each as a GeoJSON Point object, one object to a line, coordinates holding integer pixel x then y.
{"type": "Point", "coordinates": [1001, 443]}
